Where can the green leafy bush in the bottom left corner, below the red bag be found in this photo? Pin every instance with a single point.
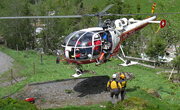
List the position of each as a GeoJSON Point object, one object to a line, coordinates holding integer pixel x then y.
{"type": "Point", "coordinates": [14, 104]}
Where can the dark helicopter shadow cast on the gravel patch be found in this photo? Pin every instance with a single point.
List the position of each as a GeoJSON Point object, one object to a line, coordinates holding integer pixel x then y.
{"type": "Point", "coordinates": [92, 85]}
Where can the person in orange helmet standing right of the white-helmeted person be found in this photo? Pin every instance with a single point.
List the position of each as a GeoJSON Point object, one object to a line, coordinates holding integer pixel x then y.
{"type": "Point", "coordinates": [123, 85]}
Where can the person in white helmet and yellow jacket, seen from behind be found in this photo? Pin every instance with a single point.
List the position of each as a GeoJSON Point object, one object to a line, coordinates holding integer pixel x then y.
{"type": "Point", "coordinates": [114, 87]}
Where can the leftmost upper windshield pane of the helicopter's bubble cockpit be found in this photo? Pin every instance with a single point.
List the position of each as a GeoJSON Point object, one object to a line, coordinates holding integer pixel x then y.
{"type": "Point", "coordinates": [75, 39]}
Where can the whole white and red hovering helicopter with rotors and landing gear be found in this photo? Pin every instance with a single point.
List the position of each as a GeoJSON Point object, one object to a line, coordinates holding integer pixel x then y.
{"type": "Point", "coordinates": [98, 44]}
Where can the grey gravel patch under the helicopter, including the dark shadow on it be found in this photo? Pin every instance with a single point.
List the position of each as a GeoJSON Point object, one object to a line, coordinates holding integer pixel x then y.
{"type": "Point", "coordinates": [78, 91]}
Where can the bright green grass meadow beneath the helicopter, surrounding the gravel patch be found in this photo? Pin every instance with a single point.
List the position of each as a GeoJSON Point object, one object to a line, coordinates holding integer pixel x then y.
{"type": "Point", "coordinates": [49, 70]}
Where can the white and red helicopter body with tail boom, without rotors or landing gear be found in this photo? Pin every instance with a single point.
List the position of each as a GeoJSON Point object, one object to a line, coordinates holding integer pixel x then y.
{"type": "Point", "coordinates": [87, 45]}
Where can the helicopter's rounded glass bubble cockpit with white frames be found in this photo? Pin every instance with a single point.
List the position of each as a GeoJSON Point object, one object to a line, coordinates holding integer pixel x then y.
{"type": "Point", "coordinates": [83, 45]}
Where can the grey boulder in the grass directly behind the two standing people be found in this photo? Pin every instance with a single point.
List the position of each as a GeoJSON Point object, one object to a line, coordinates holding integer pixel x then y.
{"type": "Point", "coordinates": [128, 75]}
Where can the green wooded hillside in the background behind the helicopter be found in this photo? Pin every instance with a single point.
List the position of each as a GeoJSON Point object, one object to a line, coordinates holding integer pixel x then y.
{"type": "Point", "coordinates": [51, 37]}
